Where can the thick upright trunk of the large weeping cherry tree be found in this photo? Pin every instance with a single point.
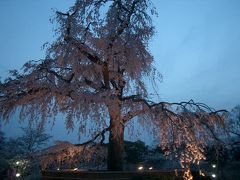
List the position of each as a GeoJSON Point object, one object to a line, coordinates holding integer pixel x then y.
{"type": "Point", "coordinates": [116, 140]}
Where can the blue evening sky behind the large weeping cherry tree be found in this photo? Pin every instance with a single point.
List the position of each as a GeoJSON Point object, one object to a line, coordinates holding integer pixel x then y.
{"type": "Point", "coordinates": [196, 48]}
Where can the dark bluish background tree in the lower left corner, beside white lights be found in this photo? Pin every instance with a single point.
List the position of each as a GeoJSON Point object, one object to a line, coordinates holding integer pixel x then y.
{"type": "Point", "coordinates": [21, 154]}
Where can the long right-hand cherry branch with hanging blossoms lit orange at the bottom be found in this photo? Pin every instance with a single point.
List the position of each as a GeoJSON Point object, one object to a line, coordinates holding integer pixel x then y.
{"type": "Point", "coordinates": [185, 130]}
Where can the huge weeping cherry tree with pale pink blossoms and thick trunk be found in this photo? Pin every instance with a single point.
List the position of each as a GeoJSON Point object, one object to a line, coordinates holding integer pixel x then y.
{"type": "Point", "coordinates": [95, 72]}
